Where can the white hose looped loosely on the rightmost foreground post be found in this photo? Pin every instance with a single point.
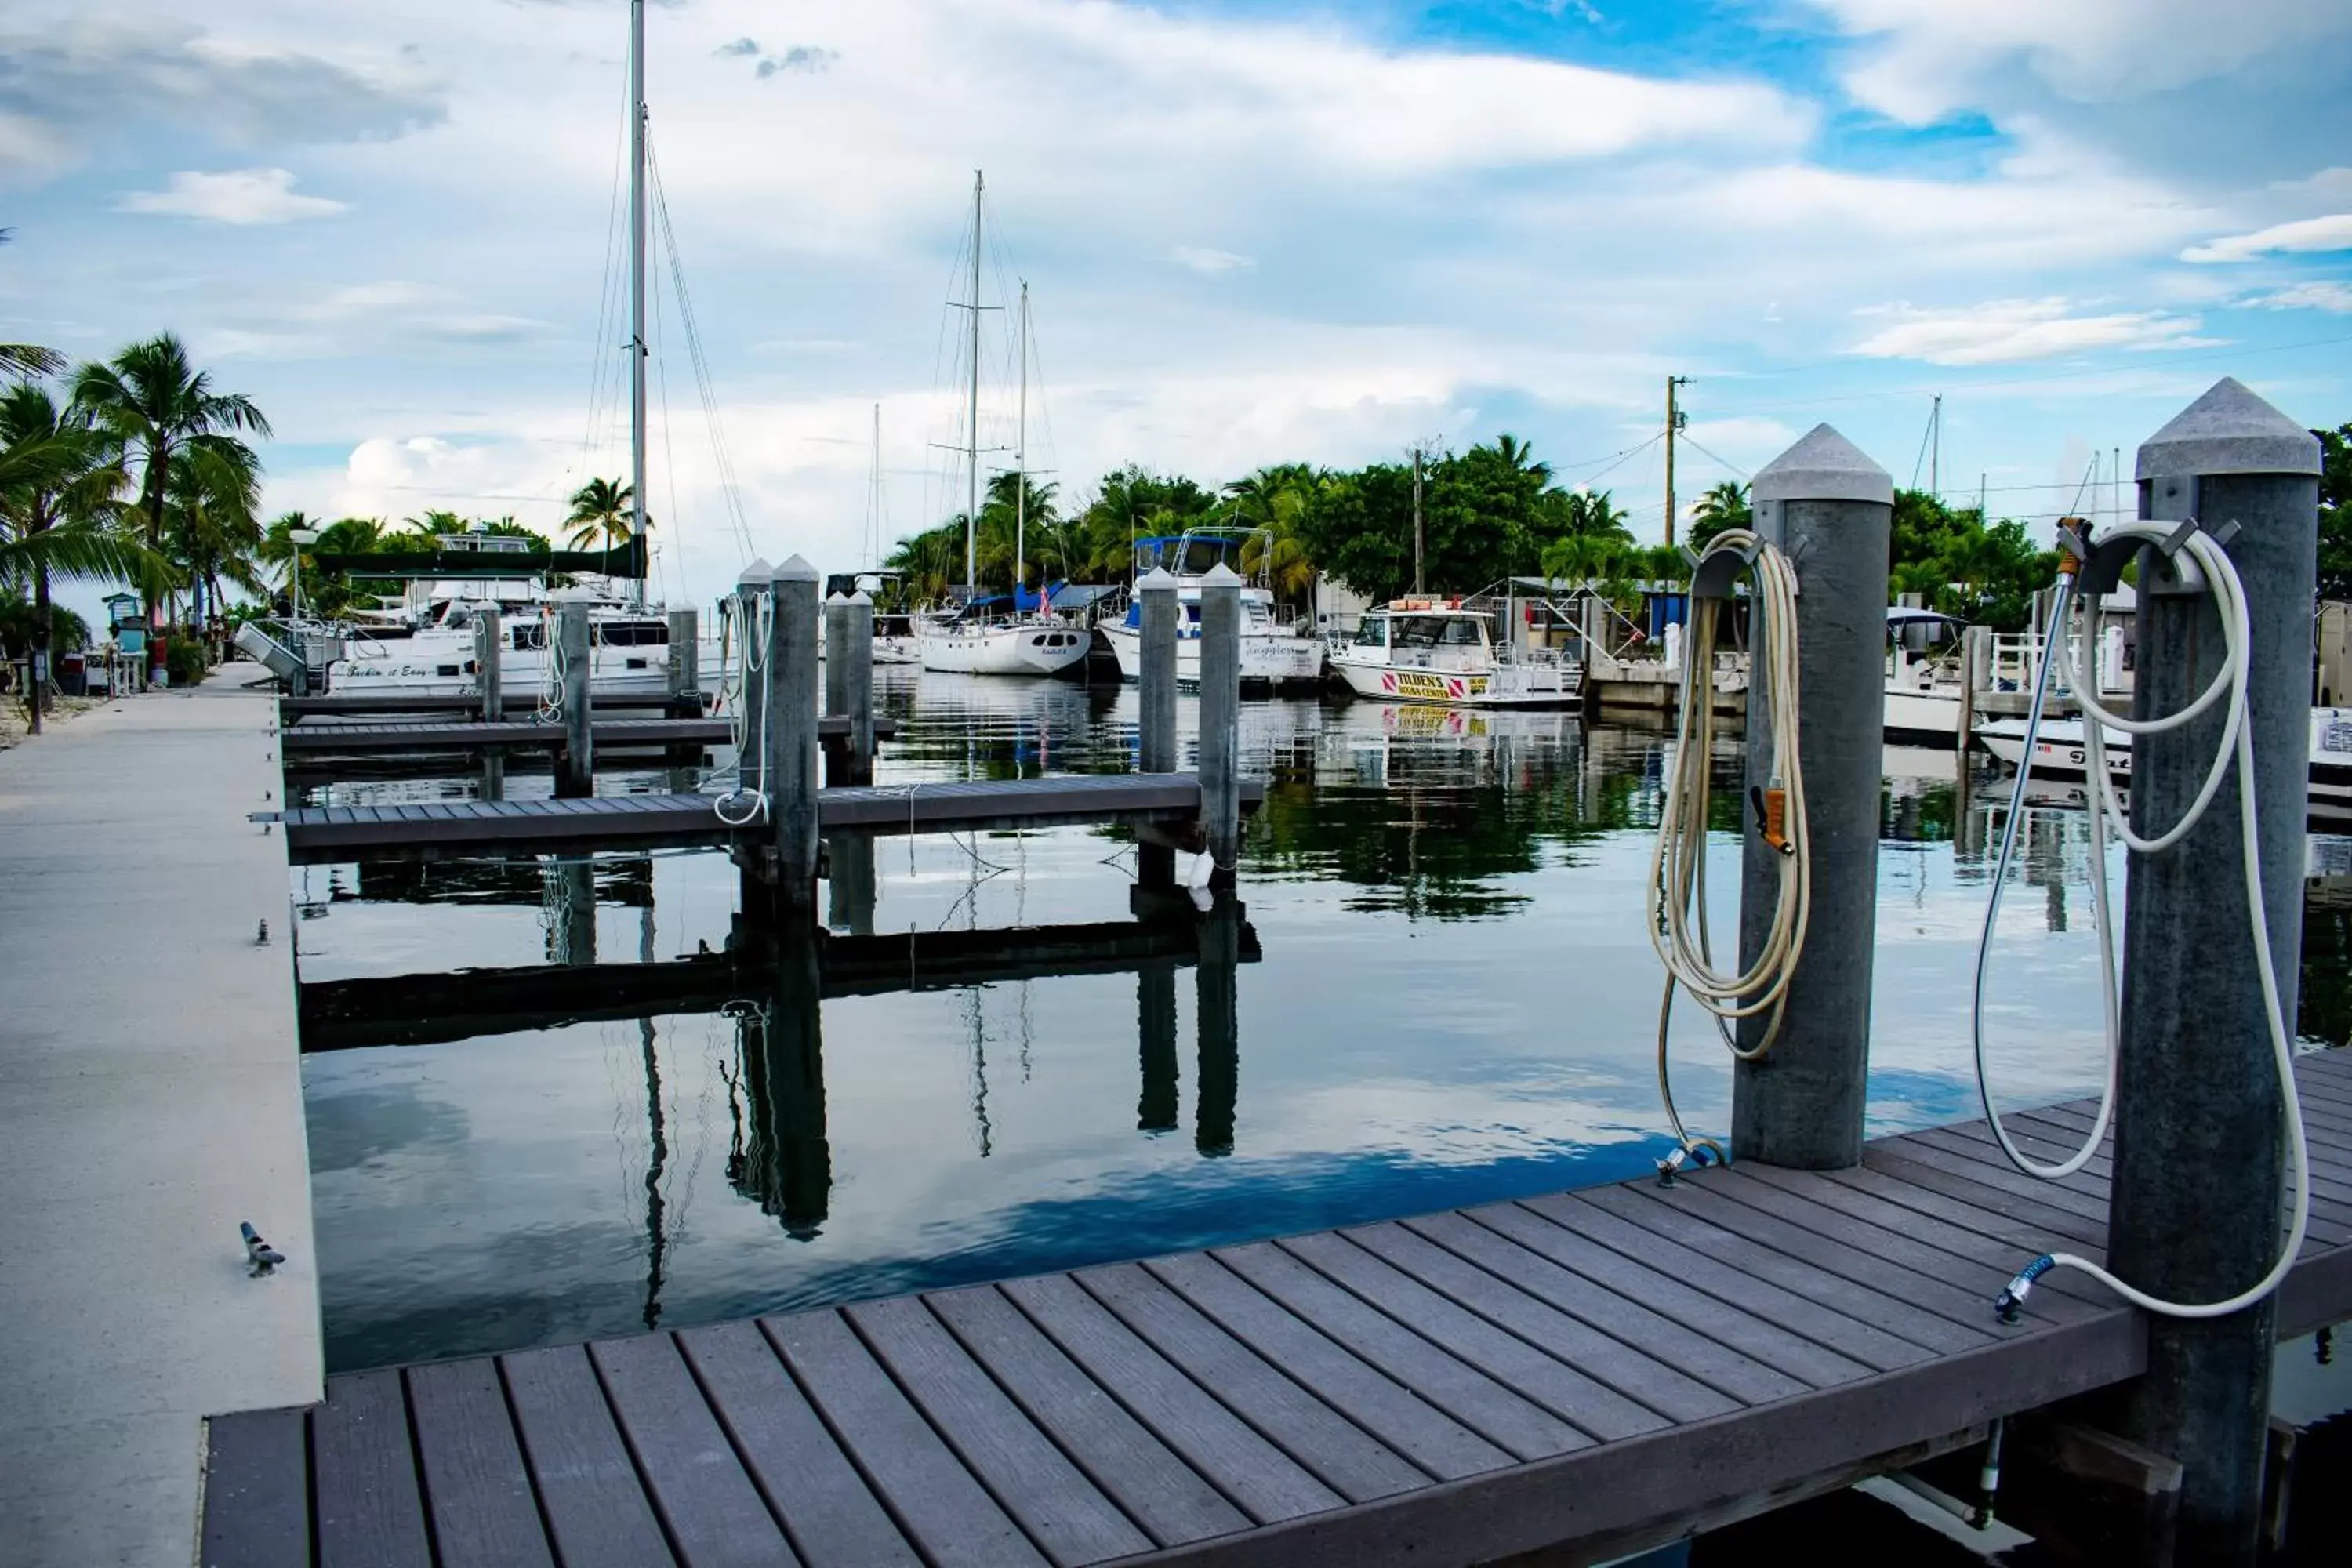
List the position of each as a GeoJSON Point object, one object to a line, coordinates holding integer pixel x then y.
{"type": "Point", "coordinates": [2231, 685]}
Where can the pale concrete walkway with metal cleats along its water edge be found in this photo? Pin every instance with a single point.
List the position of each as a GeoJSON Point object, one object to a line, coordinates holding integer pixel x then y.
{"type": "Point", "coordinates": [149, 1101]}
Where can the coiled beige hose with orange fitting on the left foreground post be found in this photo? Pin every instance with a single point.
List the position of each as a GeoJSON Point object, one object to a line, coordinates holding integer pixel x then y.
{"type": "Point", "coordinates": [1678, 866]}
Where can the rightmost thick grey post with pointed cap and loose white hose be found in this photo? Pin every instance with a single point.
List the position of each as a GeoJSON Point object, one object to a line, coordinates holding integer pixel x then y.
{"type": "Point", "coordinates": [2198, 1141]}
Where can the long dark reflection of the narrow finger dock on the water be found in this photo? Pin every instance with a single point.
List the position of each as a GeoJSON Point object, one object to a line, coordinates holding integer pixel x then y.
{"type": "Point", "coordinates": [472, 1003]}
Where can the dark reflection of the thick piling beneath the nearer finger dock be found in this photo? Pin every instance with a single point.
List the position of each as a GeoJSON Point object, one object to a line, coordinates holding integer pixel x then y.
{"type": "Point", "coordinates": [787, 1160]}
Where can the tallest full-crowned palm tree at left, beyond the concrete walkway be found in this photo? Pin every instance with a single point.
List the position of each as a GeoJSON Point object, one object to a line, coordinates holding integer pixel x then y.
{"type": "Point", "coordinates": [159, 408]}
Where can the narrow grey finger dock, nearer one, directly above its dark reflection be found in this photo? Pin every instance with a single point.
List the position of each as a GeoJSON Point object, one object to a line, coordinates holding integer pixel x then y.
{"type": "Point", "coordinates": [641, 822]}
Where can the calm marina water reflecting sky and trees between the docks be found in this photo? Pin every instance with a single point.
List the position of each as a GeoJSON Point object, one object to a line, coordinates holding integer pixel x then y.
{"type": "Point", "coordinates": [1455, 1003]}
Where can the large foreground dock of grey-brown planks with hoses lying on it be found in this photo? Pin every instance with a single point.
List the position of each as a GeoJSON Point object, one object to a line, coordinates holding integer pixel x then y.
{"type": "Point", "coordinates": [1593, 1372]}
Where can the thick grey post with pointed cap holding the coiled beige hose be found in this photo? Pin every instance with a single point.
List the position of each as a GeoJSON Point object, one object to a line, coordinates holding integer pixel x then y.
{"type": "Point", "coordinates": [1831, 511]}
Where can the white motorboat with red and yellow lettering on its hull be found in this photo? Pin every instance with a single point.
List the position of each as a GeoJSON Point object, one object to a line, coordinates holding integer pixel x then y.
{"type": "Point", "coordinates": [1429, 650]}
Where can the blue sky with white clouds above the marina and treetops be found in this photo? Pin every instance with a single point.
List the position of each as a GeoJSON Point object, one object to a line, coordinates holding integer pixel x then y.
{"type": "Point", "coordinates": [1252, 232]}
